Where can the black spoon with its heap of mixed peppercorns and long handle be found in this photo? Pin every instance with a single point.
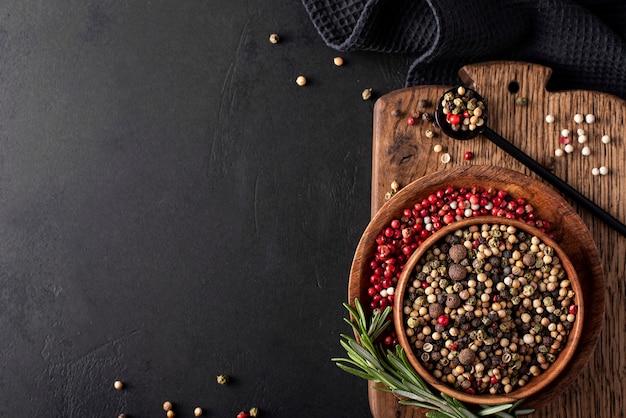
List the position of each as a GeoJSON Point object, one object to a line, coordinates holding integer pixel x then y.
{"type": "Point", "coordinates": [462, 114]}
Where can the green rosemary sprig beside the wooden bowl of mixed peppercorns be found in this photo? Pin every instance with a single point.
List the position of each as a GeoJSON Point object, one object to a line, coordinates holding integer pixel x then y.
{"type": "Point", "coordinates": [369, 361]}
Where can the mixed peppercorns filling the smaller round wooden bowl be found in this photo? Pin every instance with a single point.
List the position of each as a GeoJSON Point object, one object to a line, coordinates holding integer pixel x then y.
{"type": "Point", "coordinates": [487, 308]}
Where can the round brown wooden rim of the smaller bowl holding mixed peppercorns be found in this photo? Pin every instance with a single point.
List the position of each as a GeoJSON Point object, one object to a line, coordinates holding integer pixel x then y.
{"type": "Point", "coordinates": [536, 383]}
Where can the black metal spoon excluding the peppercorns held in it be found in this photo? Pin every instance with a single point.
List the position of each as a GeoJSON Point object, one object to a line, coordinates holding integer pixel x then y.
{"type": "Point", "coordinates": [483, 129]}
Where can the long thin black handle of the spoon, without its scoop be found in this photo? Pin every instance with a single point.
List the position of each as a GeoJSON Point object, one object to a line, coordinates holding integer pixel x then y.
{"type": "Point", "coordinates": [555, 181]}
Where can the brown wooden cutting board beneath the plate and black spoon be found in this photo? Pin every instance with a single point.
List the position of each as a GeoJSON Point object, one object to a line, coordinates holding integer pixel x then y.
{"type": "Point", "coordinates": [518, 104]}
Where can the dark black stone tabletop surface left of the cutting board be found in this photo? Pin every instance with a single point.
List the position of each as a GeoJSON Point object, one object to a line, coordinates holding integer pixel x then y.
{"type": "Point", "coordinates": [173, 207]}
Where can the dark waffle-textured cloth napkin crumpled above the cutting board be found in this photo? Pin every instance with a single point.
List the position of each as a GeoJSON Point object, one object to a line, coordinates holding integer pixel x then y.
{"type": "Point", "coordinates": [583, 42]}
